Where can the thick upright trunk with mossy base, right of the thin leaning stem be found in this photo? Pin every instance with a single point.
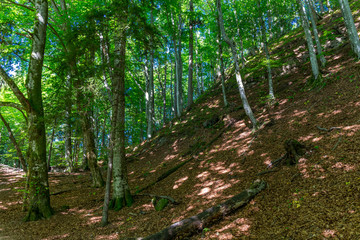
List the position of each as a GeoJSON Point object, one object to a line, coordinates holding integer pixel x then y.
{"type": "Point", "coordinates": [121, 191]}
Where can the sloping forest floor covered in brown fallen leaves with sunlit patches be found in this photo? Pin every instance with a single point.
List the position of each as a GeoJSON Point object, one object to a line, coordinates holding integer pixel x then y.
{"type": "Point", "coordinates": [319, 198]}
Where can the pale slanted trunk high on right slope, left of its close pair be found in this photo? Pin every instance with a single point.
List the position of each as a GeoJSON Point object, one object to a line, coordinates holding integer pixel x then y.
{"type": "Point", "coordinates": [305, 24]}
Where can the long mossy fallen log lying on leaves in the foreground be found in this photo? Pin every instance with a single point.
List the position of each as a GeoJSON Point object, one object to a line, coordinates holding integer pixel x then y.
{"type": "Point", "coordinates": [189, 226]}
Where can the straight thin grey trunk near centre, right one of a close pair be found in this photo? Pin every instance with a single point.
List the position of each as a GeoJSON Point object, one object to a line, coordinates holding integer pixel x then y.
{"type": "Point", "coordinates": [191, 56]}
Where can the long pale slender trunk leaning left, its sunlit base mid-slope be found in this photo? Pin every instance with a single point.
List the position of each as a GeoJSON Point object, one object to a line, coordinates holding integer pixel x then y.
{"type": "Point", "coordinates": [232, 45]}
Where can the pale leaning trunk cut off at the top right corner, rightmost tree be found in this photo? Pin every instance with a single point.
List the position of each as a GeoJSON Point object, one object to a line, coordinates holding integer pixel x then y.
{"type": "Point", "coordinates": [350, 26]}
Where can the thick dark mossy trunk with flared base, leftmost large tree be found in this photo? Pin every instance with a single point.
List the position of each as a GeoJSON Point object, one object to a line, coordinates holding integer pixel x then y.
{"type": "Point", "coordinates": [39, 196]}
